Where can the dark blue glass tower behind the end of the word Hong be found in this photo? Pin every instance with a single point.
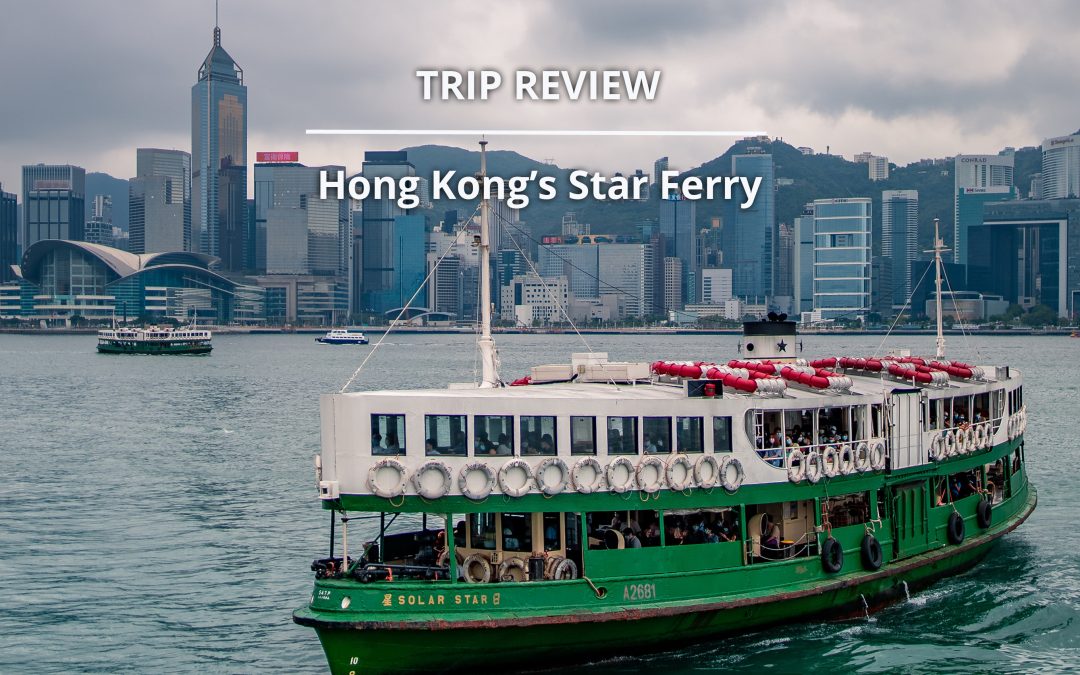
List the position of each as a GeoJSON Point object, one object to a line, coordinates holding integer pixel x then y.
{"type": "Point", "coordinates": [380, 277]}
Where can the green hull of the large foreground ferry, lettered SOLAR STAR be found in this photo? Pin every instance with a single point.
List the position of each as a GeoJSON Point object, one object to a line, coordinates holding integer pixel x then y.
{"type": "Point", "coordinates": [435, 627]}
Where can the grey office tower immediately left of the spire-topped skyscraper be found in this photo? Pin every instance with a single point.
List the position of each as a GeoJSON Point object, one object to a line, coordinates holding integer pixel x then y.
{"type": "Point", "coordinates": [159, 201]}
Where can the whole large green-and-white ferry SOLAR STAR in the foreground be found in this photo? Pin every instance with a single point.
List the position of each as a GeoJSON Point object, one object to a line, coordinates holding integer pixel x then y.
{"type": "Point", "coordinates": [597, 508]}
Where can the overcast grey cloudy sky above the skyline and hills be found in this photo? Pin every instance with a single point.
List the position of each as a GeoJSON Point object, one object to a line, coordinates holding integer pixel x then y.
{"type": "Point", "coordinates": [88, 83]}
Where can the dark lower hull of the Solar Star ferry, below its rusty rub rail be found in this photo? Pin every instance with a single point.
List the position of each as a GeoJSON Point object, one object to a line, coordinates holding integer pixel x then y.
{"type": "Point", "coordinates": [522, 643]}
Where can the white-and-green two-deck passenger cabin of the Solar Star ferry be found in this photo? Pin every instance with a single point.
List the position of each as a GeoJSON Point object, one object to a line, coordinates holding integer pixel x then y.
{"type": "Point", "coordinates": [618, 480]}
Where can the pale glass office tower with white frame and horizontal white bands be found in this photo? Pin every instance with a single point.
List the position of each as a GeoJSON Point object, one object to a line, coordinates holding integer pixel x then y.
{"type": "Point", "coordinates": [842, 258]}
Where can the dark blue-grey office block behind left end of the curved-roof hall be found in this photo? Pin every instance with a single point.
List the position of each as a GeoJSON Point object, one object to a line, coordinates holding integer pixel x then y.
{"type": "Point", "coordinates": [53, 202]}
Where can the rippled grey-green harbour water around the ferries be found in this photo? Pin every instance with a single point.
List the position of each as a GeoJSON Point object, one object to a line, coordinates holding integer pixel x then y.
{"type": "Point", "coordinates": [159, 514]}
